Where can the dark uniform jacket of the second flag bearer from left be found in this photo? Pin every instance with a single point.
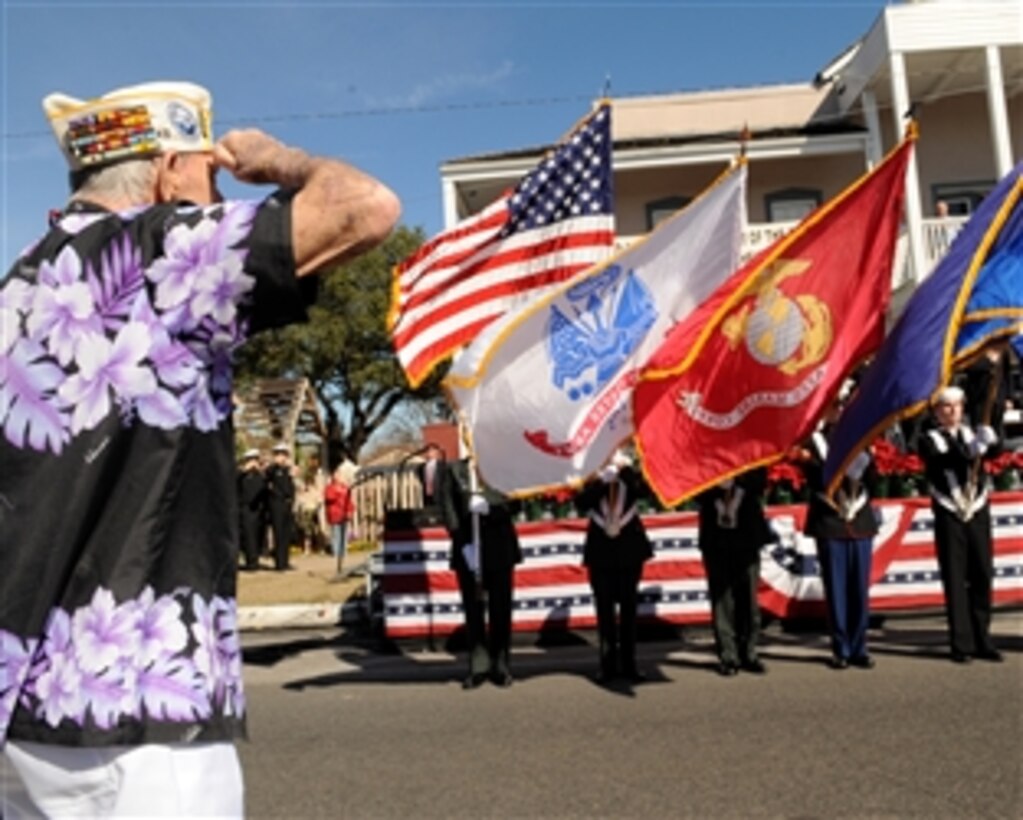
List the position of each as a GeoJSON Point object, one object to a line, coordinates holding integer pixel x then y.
{"type": "Point", "coordinates": [632, 546]}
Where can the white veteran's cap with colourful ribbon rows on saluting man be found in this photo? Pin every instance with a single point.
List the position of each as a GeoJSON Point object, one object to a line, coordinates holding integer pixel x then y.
{"type": "Point", "coordinates": [134, 122]}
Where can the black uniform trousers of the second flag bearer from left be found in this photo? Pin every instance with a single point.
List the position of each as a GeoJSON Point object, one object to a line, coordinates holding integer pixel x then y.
{"type": "Point", "coordinates": [616, 588]}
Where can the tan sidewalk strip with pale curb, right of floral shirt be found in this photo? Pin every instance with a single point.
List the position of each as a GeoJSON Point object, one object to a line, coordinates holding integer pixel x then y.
{"type": "Point", "coordinates": [312, 594]}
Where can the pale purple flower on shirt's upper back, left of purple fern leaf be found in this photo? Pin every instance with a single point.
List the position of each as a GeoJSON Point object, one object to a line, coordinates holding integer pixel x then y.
{"type": "Point", "coordinates": [63, 310]}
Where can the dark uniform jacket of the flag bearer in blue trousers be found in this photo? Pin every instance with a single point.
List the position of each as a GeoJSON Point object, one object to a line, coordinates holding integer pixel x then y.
{"type": "Point", "coordinates": [851, 515]}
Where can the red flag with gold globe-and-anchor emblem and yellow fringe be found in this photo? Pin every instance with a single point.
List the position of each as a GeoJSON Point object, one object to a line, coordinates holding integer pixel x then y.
{"type": "Point", "coordinates": [747, 375]}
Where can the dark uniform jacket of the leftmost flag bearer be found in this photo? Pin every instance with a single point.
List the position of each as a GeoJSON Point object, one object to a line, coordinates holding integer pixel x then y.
{"type": "Point", "coordinates": [500, 542]}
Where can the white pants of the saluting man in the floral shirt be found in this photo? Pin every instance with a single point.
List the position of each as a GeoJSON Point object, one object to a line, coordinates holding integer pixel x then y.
{"type": "Point", "coordinates": [154, 781]}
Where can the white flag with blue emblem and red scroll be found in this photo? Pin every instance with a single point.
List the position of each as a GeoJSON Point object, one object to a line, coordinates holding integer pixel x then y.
{"type": "Point", "coordinates": [546, 391]}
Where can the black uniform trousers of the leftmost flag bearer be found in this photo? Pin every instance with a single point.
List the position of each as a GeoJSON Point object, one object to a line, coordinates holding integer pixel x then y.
{"type": "Point", "coordinates": [488, 619]}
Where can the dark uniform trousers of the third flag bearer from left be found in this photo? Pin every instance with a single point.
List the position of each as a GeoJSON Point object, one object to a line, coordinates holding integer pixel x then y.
{"type": "Point", "coordinates": [733, 576]}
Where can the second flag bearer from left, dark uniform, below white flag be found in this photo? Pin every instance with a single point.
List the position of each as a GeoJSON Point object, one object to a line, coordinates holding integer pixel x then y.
{"type": "Point", "coordinates": [616, 549]}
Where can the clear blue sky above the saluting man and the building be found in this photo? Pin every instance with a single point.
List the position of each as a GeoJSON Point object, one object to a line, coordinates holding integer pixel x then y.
{"type": "Point", "coordinates": [394, 88]}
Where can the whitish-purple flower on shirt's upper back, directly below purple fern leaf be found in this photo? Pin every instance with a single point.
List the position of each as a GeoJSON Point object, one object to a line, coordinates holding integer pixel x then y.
{"type": "Point", "coordinates": [105, 367]}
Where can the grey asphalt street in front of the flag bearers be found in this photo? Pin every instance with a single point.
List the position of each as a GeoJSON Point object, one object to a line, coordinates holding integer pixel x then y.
{"type": "Point", "coordinates": [345, 726]}
